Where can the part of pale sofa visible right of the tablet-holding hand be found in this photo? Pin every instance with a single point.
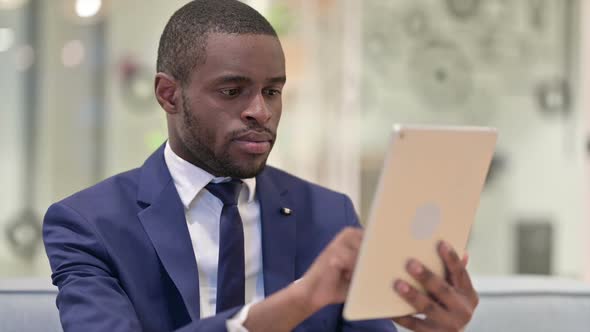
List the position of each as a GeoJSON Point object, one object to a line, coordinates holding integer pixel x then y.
{"type": "Point", "coordinates": [530, 303]}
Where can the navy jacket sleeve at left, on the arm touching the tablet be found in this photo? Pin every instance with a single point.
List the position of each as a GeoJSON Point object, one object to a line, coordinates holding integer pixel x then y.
{"type": "Point", "coordinates": [90, 296]}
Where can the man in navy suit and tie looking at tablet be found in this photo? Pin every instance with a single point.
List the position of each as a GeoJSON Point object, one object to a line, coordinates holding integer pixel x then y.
{"type": "Point", "coordinates": [206, 237]}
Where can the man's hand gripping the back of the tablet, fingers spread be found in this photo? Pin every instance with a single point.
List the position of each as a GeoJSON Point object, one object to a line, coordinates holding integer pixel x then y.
{"type": "Point", "coordinates": [449, 304]}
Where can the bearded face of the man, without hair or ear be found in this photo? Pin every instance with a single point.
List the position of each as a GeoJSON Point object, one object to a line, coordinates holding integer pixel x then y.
{"type": "Point", "coordinates": [231, 108]}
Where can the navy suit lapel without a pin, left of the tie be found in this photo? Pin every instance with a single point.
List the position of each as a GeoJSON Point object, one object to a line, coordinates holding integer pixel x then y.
{"type": "Point", "coordinates": [165, 224]}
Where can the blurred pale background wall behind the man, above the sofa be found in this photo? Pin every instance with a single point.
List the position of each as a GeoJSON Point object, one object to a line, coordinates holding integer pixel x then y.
{"type": "Point", "coordinates": [77, 106]}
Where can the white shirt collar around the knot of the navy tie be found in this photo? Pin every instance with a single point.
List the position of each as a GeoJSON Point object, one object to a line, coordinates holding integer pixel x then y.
{"type": "Point", "coordinates": [190, 179]}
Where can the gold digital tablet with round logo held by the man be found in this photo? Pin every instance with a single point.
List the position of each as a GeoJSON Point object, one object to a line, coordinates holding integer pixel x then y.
{"type": "Point", "coordinates": [428, 191]}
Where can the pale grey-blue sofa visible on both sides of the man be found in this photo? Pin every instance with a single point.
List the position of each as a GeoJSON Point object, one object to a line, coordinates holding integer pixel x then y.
{"type": "Point", "coordinates": [508, 304]}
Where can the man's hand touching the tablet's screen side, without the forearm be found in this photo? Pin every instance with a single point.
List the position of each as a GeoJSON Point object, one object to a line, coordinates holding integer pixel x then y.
{"type": "Point", "coordinates": [328, 279]}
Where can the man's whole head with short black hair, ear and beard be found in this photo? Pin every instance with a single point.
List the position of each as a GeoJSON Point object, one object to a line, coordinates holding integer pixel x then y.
{"type": "Point", "coordinates": [221, 71]}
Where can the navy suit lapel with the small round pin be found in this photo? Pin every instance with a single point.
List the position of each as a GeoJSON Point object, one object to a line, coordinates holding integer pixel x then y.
{"type": "Point", "coordinates": [278, 235]}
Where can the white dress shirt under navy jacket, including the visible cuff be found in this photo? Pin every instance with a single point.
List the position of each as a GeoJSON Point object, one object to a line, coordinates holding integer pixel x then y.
{"type": "Point", "coordinates": [203, 212]}
